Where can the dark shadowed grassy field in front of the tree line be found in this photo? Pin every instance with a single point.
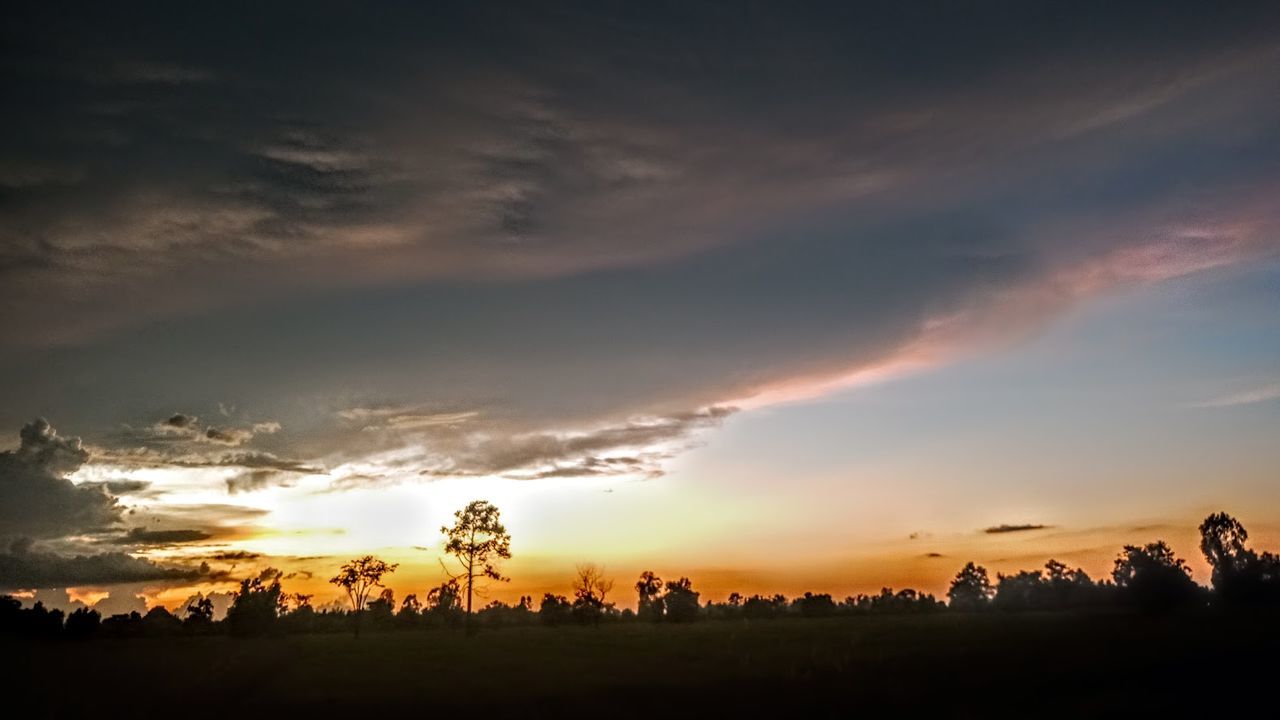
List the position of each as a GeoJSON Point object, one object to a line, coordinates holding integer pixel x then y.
{"type": "Point", "coordinates": [959, 667]}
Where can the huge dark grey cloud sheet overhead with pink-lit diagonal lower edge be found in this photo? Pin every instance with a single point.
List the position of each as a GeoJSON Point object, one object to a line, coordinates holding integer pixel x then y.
{"type": "Point", "coordinates": [561, 220]}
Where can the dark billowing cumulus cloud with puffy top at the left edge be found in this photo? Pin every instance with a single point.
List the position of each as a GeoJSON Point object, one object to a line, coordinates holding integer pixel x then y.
{"type": "Point", "coordinates": [36, 498]}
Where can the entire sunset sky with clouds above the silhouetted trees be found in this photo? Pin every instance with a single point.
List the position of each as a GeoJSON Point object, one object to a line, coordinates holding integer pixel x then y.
{"type": "Point", "coordinates": [778, 298]}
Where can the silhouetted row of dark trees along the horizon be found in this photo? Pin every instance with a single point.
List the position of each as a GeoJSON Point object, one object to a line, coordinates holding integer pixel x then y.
{"type": "Point", "coordinates": [1148, 578]}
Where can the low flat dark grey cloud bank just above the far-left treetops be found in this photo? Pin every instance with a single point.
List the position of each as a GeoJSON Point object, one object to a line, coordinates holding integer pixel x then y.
{"type": "Point", "coordinates": [22, 568]}
